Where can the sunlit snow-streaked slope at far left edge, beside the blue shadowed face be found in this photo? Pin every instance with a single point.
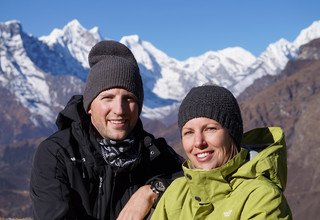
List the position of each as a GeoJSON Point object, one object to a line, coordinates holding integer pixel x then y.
{"type": "Point", "coordinates": [19, 74]}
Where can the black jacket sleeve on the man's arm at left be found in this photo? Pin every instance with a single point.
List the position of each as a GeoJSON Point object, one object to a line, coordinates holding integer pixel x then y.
{"type": "Point", "coordinates": [48, 185]}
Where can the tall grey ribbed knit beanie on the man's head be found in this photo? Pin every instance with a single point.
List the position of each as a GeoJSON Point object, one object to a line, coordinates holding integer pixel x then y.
{"type": "Point", "coordinates": [112, 66]}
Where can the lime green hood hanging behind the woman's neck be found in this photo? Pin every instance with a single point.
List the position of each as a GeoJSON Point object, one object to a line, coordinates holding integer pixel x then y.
{"type": "Point", "coordinates": [268, 155]}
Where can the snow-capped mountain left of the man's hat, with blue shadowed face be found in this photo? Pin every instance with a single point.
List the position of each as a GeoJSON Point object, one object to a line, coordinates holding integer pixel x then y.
{"type": "Point", "coordinates": [40, 75]}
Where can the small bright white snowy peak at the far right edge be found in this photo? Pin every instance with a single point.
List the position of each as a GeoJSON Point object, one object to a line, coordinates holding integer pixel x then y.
{"type": "Point", "coordinates": [308, 34]}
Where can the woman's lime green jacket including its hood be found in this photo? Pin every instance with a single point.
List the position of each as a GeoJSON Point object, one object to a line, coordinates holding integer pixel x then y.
{"type": "Point", "coordinates": [249, 186]}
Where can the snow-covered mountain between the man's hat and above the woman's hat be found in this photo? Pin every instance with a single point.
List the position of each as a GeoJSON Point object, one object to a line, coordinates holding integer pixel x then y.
{"type": "Point", "coordinates": [167, 80]}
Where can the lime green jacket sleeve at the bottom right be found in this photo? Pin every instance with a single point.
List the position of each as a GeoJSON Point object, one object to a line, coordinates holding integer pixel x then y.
{"type": "Point", "coordinates": [266, 203]}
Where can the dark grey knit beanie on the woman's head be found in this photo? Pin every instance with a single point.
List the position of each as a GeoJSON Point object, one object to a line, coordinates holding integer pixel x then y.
{"type": "Point", "coordinates": [214, 102]}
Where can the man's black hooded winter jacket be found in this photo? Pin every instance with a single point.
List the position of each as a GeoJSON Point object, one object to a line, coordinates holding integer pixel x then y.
{"type": "Point", "coordinates": [71, 180]}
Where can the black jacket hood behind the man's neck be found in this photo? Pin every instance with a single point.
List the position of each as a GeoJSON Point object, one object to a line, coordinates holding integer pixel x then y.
{"type": "Point", "coordinates": [73, 112]}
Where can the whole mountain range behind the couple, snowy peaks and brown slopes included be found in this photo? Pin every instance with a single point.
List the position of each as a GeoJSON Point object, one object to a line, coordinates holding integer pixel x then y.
{"type": "Point", "coordinates": [39, 75]}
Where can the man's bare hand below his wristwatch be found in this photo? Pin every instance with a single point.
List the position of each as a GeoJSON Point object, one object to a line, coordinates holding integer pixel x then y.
{"type": "Point", "coordinates": [139, 204]}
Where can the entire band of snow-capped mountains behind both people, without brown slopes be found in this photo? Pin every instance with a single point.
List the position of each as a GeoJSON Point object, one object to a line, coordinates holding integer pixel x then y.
{"type": "Point", "coordinates": [44, 72]}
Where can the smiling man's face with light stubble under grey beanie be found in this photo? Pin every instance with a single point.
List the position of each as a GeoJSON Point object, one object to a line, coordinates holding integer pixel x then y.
{"type": "Point", "coordinates": [114, 113]}
